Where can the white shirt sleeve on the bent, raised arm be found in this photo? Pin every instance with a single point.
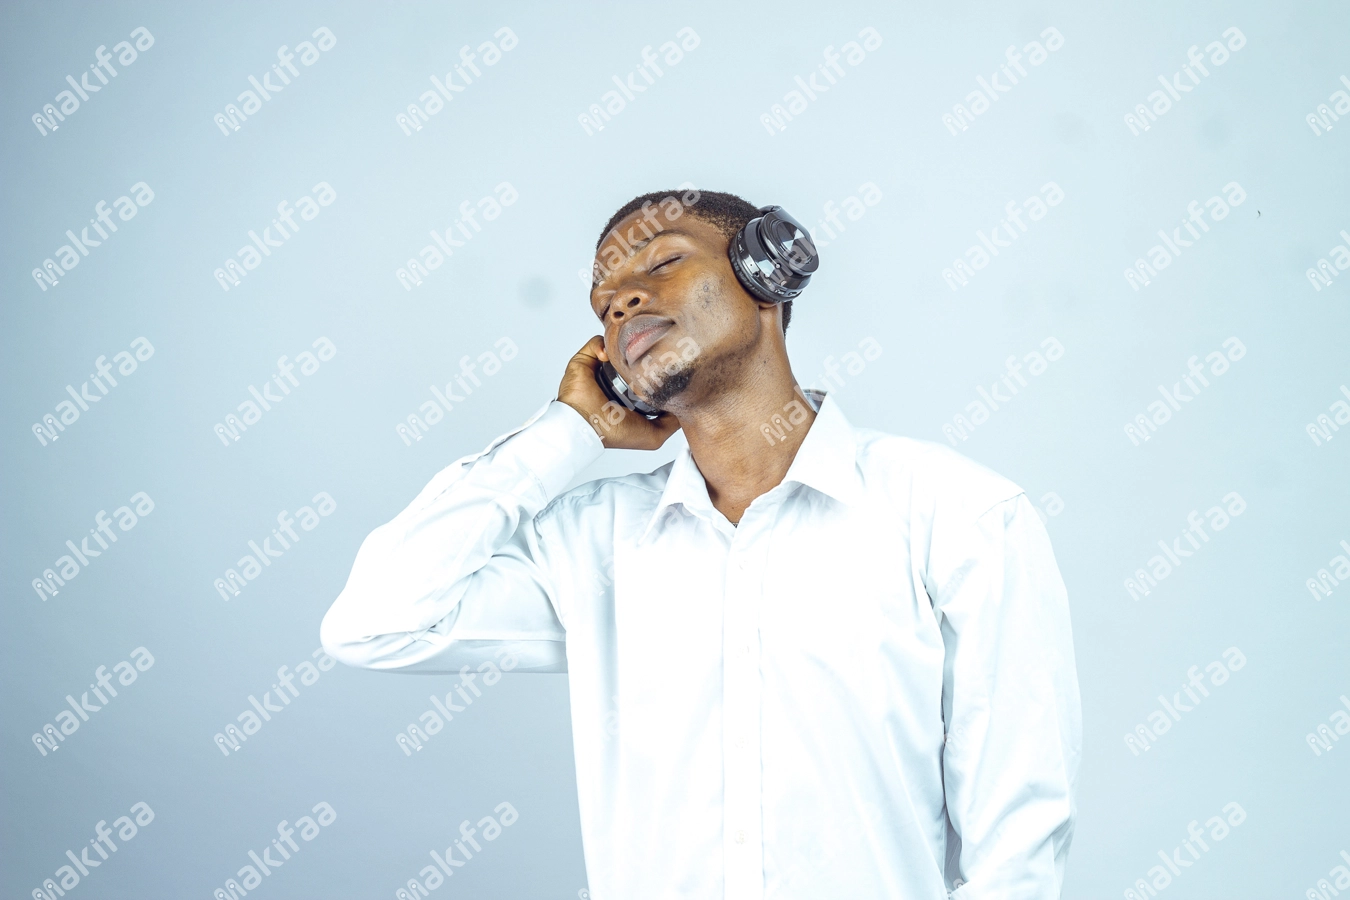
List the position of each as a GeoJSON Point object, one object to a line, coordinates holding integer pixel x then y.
{"type": "Point", "coordinates": [462, 573]}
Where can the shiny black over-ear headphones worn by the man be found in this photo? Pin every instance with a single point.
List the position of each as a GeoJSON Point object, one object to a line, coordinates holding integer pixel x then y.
{"type": "Point", "coordinates": [774, 260]}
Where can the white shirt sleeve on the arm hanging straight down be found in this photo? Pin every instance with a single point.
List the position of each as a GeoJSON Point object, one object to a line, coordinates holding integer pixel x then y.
{"type": "Point", "coordinates": [1010, 702]}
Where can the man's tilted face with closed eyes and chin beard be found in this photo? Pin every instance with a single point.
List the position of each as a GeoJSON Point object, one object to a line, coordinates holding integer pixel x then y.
{"type": "Point", "coordinates": [672, 308]}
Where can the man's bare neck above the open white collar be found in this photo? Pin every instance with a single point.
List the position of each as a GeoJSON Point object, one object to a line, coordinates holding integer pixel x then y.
{"type": "Point", "coordinates": [727, 434]}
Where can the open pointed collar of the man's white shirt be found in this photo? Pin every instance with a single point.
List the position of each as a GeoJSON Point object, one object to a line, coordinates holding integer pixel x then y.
{"type": "Point", "coordinates": [827, 462]}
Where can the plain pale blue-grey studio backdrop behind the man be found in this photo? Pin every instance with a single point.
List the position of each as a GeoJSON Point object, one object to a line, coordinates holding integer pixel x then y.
{"type": "Point", "coordinates": [884, 128]}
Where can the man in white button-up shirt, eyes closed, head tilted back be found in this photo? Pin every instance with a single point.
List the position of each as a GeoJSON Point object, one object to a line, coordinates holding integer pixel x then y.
{"type": "Point", "coordinates": [808, 660]}
